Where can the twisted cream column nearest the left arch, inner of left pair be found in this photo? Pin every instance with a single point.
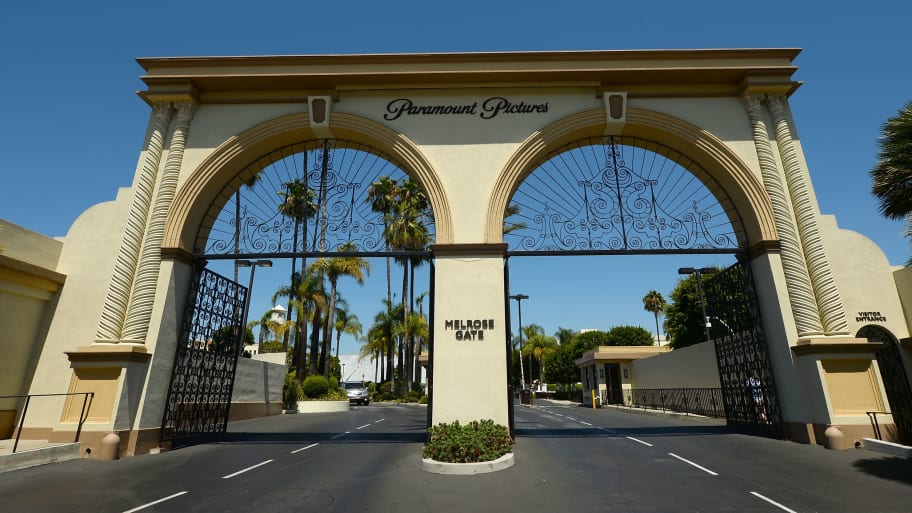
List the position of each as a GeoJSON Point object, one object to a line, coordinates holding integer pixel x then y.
{"type": "Point", "coordinates": [142, 297]}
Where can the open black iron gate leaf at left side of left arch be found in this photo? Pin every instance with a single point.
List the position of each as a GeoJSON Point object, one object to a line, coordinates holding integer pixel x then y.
{"type": "Point", "coordinates": [199, 393]}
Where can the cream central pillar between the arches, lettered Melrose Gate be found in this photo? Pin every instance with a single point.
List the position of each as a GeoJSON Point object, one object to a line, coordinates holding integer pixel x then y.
{"type": "Point", "coordinates": [469, 357]}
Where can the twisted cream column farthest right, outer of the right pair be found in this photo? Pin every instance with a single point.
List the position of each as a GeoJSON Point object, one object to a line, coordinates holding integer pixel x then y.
{"type": "Point", "coordinates": [829, 302]}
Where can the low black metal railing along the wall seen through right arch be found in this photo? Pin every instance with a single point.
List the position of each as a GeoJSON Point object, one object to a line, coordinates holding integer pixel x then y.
{"type": "Point", "coordinates": [698, 401]}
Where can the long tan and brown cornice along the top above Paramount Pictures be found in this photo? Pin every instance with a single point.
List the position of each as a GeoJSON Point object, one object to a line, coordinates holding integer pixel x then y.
{"type": "Point", "coordinates": [642, 73]}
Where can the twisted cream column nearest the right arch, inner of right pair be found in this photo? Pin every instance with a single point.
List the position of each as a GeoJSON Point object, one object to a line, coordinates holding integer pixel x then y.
{"type": "Point", "coordinates": [797, 280]}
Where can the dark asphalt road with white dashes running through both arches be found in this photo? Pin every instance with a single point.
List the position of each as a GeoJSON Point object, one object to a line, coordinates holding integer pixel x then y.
{"type": "Point", "coordinates": [568, 458]}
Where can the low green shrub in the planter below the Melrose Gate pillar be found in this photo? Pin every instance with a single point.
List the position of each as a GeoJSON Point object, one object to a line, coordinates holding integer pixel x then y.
{"type": "Point", "coordinates": [475, 442]}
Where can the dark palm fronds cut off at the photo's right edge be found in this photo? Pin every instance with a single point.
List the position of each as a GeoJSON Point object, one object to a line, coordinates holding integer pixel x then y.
{"type": "Point", "coordinates": [892, 175]}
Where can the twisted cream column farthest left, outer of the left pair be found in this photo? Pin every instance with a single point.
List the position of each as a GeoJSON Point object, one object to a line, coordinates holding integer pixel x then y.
{"type": "Point", "coordinates": [114, 311]}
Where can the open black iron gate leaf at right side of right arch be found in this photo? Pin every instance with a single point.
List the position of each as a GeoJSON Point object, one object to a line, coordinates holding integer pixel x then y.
{"type": "Point", "coordinates": [746, 375]}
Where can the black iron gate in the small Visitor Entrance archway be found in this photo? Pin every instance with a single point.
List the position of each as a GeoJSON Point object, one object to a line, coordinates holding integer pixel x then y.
{"type": "Point", "coordinates": [896, 382]}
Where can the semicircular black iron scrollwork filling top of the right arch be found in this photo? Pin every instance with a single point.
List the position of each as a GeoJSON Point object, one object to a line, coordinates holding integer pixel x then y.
{"type": "Point", "coordinates": [617, 194]}
